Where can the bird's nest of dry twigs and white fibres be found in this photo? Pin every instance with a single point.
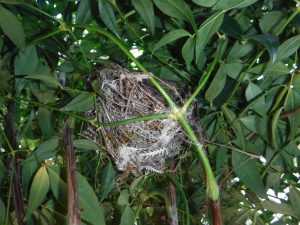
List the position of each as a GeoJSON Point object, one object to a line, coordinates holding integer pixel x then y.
{"type": "Point", "coordinates": [142, 146]}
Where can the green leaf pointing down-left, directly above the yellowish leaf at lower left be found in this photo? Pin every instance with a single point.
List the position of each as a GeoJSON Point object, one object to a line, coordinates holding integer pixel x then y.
{"type": "Point", "coordinates": [46, 150]}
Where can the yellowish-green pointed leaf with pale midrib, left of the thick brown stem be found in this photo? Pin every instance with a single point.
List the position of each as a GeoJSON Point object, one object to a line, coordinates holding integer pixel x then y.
{"type": "Point", "coordinates": [39, 188]}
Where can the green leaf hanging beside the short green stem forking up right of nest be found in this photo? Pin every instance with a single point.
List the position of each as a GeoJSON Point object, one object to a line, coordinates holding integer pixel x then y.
{"type": "Point", "coordinates": [216, 85]}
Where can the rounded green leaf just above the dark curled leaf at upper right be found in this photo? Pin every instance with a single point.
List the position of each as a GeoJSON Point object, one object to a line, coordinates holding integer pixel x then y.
{"type": "Point", "coordinates": [270, 21]}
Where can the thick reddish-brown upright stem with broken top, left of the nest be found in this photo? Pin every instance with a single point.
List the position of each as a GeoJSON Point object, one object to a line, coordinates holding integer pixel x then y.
{"type": "Point", "coordinates": [72, 186]}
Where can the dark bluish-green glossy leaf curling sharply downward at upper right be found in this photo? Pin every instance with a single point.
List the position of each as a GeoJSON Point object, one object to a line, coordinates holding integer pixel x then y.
{"type": "Point", "coordinates": [269, 41]}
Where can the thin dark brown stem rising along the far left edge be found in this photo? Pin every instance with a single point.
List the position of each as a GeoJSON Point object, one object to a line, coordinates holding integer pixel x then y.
{"type": "Point", "coordinates": [12, 163]}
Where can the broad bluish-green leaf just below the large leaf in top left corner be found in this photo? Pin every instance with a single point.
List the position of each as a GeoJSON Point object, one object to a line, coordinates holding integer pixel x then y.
{"type": "Point", "coordinates": [26, 61]}
